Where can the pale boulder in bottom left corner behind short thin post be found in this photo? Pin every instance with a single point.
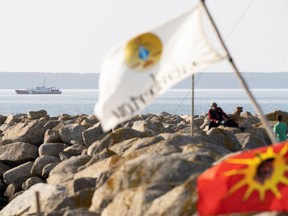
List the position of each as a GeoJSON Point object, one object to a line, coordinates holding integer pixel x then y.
{"type": "Point", "coordinates": [25, 203]}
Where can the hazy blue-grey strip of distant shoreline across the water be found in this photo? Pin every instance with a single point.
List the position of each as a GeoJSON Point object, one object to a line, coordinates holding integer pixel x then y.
{"type": "Point", "coordinates": [208, 80]}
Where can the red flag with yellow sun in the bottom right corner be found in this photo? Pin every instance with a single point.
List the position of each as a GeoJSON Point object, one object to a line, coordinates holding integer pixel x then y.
{"type": "Point", "coordinates": [252, 181]}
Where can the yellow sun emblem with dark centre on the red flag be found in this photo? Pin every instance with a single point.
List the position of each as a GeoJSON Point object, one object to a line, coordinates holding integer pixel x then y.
{"type": "Point", "coordinates": [263, 172]}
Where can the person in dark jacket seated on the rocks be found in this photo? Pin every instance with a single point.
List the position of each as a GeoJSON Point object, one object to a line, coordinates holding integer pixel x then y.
{"type": "Point", "coordinates": [216, 115]}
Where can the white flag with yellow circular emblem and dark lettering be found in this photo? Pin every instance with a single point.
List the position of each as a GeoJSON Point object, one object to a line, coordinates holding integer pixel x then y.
{"type": "Point", "coordinates": [136, 72]}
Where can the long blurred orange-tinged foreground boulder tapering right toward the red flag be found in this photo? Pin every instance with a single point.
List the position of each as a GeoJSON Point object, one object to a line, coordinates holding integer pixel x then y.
{"type": "Point", "coordinates": [146, 169]}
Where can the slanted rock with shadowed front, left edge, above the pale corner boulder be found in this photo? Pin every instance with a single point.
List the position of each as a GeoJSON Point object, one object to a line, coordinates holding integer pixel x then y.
{"type": "Point", "coordinates": [20, 172]}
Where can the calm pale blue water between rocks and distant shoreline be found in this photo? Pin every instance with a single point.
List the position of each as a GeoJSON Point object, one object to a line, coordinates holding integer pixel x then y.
{"type": "Point", "coordinates": [174, 101]}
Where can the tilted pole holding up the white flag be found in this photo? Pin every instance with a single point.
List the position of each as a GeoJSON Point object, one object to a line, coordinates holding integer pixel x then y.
{"type": "Point", "coordinates": [263, 118]}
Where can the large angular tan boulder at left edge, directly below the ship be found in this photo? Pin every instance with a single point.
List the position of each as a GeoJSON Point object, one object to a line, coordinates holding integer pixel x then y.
{"type": "Point", "coordinates": [31, 132]}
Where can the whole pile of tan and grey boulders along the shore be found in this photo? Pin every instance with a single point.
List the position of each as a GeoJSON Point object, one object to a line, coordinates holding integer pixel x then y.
{"type": "Point", "coordinates": [146, 166]}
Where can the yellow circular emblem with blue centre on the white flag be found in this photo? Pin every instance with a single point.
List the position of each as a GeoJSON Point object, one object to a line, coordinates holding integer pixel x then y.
{"type": "Point", "coordinates": [143, 52]}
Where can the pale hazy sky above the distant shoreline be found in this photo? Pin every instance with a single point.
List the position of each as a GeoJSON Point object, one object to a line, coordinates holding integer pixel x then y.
{"type": "Point", "coordinates": [75, 35]}
